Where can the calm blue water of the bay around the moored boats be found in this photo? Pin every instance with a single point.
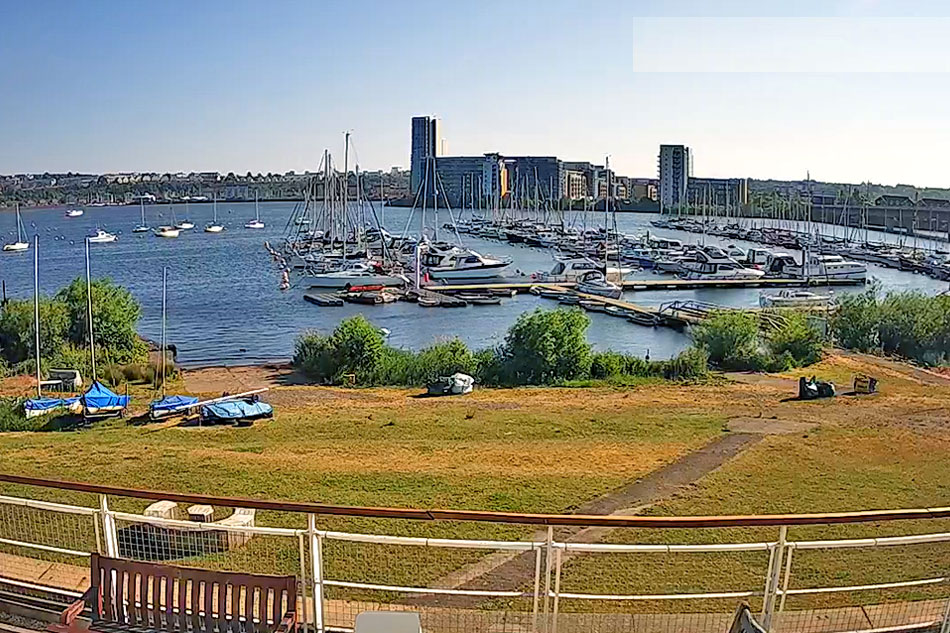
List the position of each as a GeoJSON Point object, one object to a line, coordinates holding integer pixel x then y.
{"type": "Point", "coordinates": [224, 305]}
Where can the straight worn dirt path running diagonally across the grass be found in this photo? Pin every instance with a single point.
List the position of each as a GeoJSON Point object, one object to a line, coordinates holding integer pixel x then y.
{"type": "Point", "coordinates": [510, 571]}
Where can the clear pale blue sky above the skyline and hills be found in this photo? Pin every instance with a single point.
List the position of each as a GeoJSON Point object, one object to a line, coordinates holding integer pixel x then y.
{"type": "Point", "coordinates": [757, 89]}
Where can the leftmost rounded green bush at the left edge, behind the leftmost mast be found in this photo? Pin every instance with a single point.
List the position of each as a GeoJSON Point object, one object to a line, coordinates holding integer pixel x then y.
{"type": "Point", "coordinates": [17, 334]}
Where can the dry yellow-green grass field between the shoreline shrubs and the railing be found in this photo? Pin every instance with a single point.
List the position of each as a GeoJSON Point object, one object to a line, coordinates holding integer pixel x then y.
{"type": "Point", "coordinates": [552, 450]}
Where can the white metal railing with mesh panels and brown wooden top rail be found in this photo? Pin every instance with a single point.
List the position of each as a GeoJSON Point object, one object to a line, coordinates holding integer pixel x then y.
{"type": "Point", "coordinates": [550, 582]}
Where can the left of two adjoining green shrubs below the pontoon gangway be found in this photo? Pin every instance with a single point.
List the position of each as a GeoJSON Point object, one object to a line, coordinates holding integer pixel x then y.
{"type": "Point", "coordinates": [731, 339]}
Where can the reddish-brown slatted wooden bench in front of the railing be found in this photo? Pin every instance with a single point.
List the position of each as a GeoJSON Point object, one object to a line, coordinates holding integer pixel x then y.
{"type": "Point", "coordinates": [134, 597]}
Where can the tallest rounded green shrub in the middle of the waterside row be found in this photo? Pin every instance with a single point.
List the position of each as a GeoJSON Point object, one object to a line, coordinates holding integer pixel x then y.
{"type": "Point", "coordinates": [546, 346]}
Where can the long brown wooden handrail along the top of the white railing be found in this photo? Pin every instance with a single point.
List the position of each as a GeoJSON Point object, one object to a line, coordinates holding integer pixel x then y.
{"type": "Point", "coordinates": [496, 517]}
